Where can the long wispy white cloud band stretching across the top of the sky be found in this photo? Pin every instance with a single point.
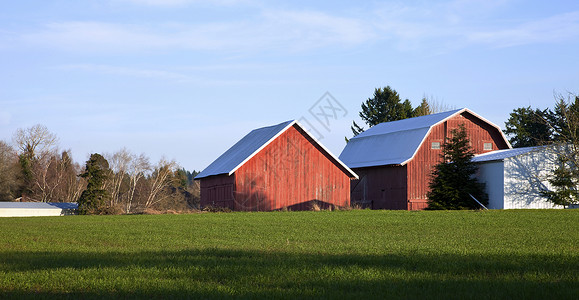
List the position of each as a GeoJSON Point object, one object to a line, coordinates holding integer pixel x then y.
{"type": "Point", "coordinates": [434, 27]}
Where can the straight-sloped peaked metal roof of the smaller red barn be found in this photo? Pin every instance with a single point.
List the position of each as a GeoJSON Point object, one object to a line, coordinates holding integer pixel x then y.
{"type": "Point", "coordinates": [253, 143]}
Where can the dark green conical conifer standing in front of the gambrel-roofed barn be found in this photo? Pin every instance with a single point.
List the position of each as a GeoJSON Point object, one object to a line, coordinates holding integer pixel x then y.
{"type": "Point", "coordinates": [453, 179]}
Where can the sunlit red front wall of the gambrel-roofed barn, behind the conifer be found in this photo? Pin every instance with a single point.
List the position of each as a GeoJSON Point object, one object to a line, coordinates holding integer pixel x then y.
{"type": "Point", "coordinates": [420, 168]}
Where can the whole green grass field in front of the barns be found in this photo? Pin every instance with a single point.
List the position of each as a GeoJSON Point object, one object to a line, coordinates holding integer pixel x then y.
{"type": "Point", "coordinates": [526, 254]}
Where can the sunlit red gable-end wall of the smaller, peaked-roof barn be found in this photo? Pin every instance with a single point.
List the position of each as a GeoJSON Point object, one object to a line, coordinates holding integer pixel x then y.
{"type": "Point", "coordinates": [292, 171]}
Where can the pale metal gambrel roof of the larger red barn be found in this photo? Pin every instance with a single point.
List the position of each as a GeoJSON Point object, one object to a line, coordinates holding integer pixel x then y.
{"type": "Point", "coordinates": [395, 143]}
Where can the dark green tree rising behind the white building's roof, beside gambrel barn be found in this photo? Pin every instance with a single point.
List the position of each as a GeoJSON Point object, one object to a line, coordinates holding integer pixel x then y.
{"type": "Point", "coordinates": [527, 127]}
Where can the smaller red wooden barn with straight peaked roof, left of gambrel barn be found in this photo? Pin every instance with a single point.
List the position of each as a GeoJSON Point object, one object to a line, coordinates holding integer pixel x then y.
{"type": "Point", "coordinates": [275, 167]}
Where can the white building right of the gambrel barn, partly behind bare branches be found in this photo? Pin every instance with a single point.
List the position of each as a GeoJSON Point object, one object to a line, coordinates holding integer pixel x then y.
{"type": "Point", "coordinates": [514, 178]}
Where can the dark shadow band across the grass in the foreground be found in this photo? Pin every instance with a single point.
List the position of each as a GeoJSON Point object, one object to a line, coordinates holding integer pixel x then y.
{"type": "Point", "coordinates": [218, 273]}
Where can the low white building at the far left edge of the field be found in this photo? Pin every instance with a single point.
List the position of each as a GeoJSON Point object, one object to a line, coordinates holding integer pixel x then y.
{"type": "Point", "coordinates": [36, 209]}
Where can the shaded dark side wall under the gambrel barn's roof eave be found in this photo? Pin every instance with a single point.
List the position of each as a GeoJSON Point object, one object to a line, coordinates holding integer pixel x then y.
{"type": "Point", "coordinates": [380, 187]}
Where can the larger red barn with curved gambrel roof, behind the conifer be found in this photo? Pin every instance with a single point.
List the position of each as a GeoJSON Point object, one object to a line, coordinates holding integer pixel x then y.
{"type": "Point", "coordinates": [394, 159]}
